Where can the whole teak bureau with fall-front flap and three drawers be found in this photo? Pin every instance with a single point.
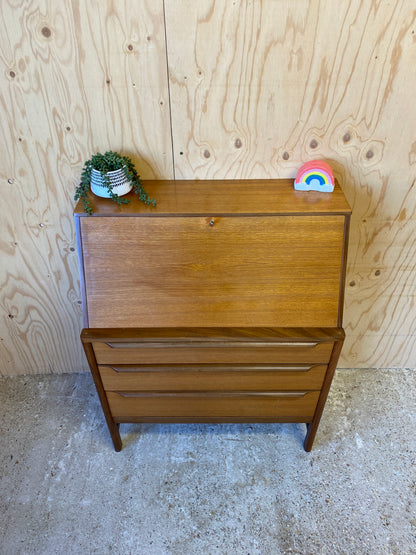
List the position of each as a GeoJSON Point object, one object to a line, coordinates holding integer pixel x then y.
{"type": "Point", "coordinates": [221, 304]}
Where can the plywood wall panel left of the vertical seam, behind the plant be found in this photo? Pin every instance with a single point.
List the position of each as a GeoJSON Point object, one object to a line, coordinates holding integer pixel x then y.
{"type": "Point", "coordinates": [76, 77]}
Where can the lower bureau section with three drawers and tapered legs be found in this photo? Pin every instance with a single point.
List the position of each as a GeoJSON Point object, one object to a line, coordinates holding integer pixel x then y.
{"type": "Point", "coordinates": [229, 375]}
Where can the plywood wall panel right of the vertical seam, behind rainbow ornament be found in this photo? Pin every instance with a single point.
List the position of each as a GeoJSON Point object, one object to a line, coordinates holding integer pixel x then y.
{"type": "Point", "coordinates": [285, 82]}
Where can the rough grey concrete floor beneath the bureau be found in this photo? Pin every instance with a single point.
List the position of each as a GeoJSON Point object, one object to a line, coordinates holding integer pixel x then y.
{"type": "Point", "coordinates": [212, 489]}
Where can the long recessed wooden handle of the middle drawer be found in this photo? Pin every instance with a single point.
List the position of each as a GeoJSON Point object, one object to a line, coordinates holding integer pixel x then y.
{"type": "Point", "coordinates": [257, 368]}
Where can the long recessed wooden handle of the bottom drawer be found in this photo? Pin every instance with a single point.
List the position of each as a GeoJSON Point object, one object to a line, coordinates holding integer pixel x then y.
{"type": "Point", "coordinates": [216, 394]}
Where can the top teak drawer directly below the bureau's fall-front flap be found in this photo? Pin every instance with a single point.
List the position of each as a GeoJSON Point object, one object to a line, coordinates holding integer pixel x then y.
{"type": "Point", "coordinates": [205, 352]}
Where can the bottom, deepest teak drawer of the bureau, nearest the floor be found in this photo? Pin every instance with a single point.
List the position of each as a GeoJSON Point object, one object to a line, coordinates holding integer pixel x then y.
{"type": "Point", "coordinates": [236, 406]}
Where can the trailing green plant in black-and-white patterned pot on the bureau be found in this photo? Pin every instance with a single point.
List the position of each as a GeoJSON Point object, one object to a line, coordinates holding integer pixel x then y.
{"type": "Point", "coordinates": [110, 175]}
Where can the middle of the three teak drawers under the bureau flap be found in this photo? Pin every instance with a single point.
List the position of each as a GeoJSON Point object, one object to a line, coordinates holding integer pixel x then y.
{"type": "Point", "coordinates": [209, 378]}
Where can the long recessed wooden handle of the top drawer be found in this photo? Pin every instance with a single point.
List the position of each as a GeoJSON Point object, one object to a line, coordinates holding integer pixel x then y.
{"type": "Point", "coordinates": [213, 344]}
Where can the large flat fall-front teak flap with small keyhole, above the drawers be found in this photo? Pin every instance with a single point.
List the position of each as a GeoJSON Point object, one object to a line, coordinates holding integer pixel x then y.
{"type": "Point", "coordinates": [217, 271]}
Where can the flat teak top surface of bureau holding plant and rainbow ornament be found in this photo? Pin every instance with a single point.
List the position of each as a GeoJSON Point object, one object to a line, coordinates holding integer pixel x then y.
{"type": "Point", "coordinates": [223, 197]}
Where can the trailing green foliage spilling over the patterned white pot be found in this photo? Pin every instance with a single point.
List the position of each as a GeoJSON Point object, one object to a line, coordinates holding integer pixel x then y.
{"type": "Point", "coordinates": [104, 163]}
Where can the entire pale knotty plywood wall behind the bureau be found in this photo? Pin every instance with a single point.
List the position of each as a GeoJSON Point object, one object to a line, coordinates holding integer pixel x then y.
{"type": "Point", "coordinates": [209, 89]}
